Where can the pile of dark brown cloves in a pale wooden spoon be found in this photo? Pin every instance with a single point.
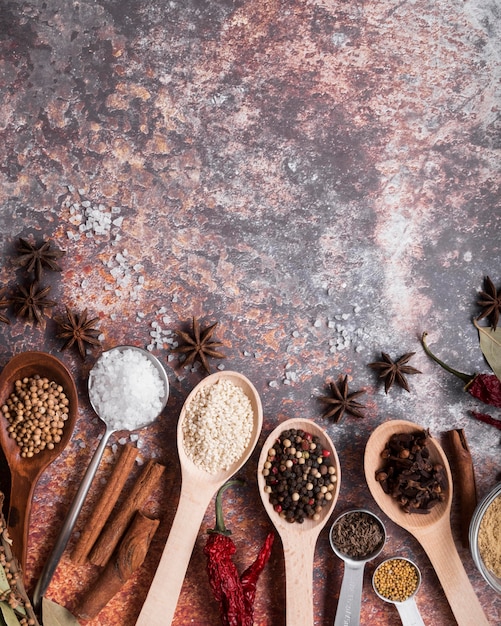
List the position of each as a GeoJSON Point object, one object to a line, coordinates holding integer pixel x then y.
{"type": "Point", "coordinates": [409, 475]}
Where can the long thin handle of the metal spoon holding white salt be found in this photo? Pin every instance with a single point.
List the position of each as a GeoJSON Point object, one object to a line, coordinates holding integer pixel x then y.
{"type": "Point", "coordinates": [69, 523]}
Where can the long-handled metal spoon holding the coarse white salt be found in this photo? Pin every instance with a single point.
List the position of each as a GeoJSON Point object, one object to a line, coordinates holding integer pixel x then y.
{"type": "Point", "coordinates": [76, 506]}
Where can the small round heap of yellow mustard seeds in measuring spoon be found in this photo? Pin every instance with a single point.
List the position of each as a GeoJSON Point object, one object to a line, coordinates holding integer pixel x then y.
{"type": "Point", "coordinates": [396, 580]}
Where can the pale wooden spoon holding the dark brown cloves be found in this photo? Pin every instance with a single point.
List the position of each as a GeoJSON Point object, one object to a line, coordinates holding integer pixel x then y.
{"type": "Point", "coordinates": [432, 530]}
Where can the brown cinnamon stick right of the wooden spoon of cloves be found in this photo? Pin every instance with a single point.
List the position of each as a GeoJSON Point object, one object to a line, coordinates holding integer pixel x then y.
{"type": "Point", "coordinates": [465, 480]}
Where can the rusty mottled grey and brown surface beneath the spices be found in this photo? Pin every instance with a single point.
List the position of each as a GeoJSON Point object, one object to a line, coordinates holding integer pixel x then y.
{"type": "Point", "coordinates": [320, 177]}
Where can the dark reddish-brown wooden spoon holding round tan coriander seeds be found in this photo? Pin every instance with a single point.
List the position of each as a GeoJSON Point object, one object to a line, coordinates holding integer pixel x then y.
{"type": "Point", "coordinates": [25, 472]}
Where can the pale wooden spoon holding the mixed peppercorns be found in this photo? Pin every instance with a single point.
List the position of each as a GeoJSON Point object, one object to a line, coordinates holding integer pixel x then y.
{"type": "Point", "coordinates": [299, 540]}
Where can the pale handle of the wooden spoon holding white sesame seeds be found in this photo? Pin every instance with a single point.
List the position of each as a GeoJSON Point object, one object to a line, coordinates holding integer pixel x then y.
{"type": "Point", "coordinates": [161, 601]}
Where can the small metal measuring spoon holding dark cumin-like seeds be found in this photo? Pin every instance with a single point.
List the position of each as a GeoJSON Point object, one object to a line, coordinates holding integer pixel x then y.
{"type": "Point", "coordinates": [350, 596]}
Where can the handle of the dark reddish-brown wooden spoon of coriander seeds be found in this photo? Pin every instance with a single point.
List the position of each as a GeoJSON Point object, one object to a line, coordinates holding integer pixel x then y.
{"type": "Point", "coordinates": [18, 519]}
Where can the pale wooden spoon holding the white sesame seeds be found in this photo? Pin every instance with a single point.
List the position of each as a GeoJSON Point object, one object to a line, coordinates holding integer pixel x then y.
{"type": "Point", "coordinates": [197, 489]}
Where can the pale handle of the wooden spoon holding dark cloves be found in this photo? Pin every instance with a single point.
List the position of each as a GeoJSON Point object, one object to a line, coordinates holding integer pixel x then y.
{"type": "Point", "coordinates": [443, 555]}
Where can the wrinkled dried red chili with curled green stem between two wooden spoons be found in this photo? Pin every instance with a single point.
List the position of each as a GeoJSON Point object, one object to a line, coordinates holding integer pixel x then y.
{"type": "Point", "coordinates": [235, 593]}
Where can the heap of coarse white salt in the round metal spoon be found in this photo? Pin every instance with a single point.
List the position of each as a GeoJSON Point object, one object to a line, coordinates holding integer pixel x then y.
{"type": "Point", "coordinates": [126, 389]}
